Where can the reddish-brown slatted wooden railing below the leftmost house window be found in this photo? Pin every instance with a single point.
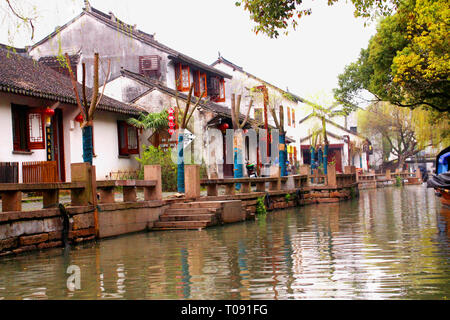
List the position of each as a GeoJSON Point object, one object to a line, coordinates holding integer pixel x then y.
{"type": "Point", "coordinates": [39, 171]}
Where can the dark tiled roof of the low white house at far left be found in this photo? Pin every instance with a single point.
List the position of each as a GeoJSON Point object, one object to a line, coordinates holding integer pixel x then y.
{"type": "Point", "coordinates": [25, 76]}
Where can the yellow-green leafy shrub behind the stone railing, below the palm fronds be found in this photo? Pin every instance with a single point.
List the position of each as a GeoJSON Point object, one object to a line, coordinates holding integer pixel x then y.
{"type": "Point", "coordinates": [152, 155]}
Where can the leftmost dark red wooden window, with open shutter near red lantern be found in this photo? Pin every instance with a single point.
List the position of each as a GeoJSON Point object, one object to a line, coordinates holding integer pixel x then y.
{"type": "Point", "coordinates": [18, 135]}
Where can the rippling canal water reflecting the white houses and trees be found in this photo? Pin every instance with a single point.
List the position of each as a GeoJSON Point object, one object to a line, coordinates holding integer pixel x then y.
{"type": "Point", "coordinates": [391, 243]}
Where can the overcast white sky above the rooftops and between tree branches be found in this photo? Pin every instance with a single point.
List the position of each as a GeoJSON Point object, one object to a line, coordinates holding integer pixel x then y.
{"type": "Point", "coordinates": [307, 61]}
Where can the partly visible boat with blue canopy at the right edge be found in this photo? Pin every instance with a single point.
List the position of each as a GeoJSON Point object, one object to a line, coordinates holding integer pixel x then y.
{"type": "Point", "coordinates": [440, 181]}
